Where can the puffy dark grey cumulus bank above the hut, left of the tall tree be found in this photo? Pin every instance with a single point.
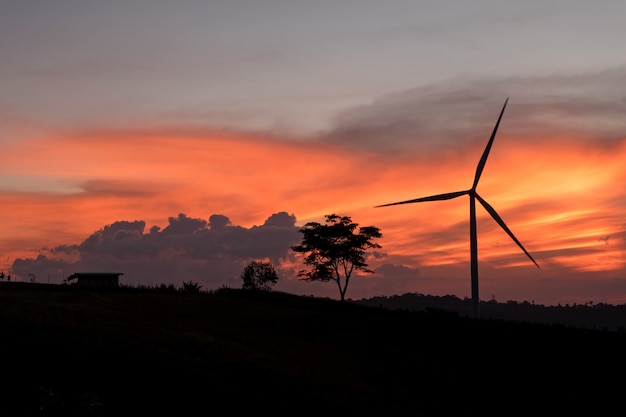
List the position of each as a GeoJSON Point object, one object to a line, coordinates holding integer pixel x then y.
{"type": "Point", "coordinates": [212, 252]}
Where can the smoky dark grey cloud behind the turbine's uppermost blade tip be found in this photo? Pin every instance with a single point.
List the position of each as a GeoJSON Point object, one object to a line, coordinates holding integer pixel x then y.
{"type": "Point", "coordinates": [456, 112]}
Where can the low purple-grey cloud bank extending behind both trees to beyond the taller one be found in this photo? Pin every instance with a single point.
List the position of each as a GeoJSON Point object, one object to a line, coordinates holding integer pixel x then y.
{"type": "Point", "coordinates": [212, 253]}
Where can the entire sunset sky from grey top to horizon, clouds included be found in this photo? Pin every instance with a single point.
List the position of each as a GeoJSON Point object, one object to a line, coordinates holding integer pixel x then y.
{"type": "Point", "coordinates": [180, 140]}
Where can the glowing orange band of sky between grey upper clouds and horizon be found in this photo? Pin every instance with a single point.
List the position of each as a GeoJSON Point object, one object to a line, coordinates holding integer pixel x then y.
{"type": "Point", "coordinates": [562, 196]}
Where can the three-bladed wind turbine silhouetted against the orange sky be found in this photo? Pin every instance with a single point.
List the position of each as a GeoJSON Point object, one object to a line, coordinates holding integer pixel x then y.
{"type": "Point", "coordinates": [473, 195]}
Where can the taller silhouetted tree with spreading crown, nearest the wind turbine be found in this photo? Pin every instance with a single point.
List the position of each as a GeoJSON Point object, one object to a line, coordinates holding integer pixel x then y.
{"type": "Point", "coordinates": [335, 251]}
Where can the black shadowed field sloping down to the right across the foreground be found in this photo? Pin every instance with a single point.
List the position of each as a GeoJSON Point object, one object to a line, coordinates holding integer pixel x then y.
{"type": "Point", "coordinates": [74, 352]}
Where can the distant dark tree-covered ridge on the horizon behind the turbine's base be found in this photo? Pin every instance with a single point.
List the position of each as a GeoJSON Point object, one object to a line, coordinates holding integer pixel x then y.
{"type": "Point", "coordinates": [589, 316]}
